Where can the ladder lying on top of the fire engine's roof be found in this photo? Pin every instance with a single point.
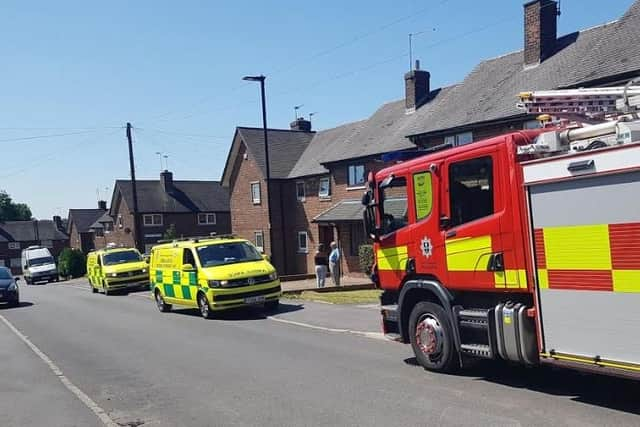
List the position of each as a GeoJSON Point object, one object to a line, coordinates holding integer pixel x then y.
{"type": "Point", "coordinates": [595, 103]}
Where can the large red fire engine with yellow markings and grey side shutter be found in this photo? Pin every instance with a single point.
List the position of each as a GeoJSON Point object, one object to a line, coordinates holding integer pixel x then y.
{"type": "Point", "coordinates": [524, 247]}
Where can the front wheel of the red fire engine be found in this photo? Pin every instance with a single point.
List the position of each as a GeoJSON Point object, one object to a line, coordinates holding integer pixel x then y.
{"type": "Point", "coordinates": [432, 338]}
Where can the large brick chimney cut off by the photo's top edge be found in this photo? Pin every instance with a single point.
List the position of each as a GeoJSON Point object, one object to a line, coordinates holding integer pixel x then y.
{"type": "Point", "coordinates": [540, 30]}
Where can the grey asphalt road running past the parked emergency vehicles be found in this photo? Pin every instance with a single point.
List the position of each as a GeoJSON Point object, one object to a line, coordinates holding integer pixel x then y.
{"type": "Point", "coordinates": [119, 355]}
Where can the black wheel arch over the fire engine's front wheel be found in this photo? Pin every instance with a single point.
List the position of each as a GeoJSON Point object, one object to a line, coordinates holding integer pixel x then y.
{"type": "Point", "coordinates": [423, 289]}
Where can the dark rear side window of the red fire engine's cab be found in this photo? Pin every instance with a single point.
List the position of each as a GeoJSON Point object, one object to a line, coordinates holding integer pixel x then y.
{"type": "Point", "coordinates": [470, 190]}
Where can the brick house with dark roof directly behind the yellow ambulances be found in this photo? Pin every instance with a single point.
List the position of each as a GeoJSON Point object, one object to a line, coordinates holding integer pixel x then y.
{"type": "Point", "coordinates": [194, 208]}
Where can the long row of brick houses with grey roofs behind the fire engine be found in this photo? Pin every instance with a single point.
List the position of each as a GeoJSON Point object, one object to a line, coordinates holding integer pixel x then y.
{"type": "Point", "coordinates": [322, 190]}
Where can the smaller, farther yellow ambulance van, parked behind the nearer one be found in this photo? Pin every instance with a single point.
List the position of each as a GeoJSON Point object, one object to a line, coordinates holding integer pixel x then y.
{"type": "Point", "coordinates": [114, 269]}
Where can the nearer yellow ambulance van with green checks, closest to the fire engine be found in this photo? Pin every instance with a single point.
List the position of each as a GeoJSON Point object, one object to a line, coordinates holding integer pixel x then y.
{"type": "Point", "coordinates": [212, 273]}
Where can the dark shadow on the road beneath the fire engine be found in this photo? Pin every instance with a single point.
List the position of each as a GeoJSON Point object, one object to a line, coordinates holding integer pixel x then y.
{"type": "Point", "coordinates": [592, 389]}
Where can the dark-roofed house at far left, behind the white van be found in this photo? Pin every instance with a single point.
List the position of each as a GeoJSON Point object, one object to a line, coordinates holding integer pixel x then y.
{"type": "Point", "coordinates": [18, 235]}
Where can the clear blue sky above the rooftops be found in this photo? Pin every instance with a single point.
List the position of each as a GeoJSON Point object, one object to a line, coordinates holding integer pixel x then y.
{"type": "Point", "coordinates": [74, 72]}
